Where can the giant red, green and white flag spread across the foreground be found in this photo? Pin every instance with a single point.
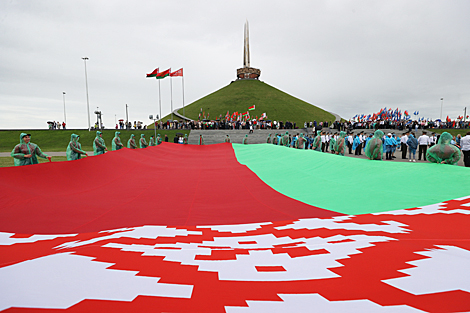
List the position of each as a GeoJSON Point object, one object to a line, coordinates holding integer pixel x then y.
{"type": "Point", "coordinates": [254, 228]}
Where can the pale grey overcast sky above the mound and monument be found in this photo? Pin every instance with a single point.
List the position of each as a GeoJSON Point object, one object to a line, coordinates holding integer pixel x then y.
{"type": "Point", "coordinates": [346, 57]}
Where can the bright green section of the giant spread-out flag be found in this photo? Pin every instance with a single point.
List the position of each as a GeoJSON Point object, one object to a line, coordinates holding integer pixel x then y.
{"type": "Point", "coordinates": [350, 185]}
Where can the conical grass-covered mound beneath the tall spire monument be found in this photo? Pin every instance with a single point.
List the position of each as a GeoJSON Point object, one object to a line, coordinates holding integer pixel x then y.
{"type": "Point", "coordinates": [240, 95]}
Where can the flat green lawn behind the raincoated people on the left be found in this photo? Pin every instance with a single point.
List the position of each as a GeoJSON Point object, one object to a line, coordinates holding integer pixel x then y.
{"type": "Point", "coordinates": [57, 140]}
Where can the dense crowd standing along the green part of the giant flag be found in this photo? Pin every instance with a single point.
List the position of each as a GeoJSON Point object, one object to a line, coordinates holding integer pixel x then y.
{"type": "Point", "coordinates": [443, 149]}
